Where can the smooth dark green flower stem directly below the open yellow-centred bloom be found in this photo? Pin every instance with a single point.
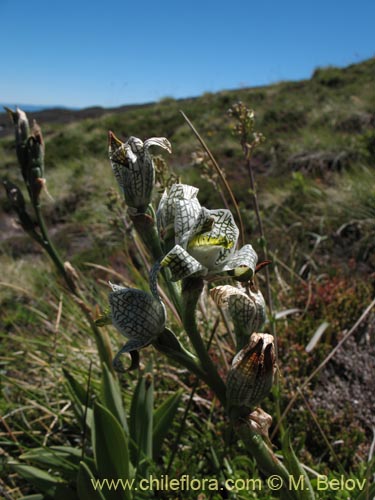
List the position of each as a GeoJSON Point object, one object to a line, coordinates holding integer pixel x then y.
{"type": "Point", "coordinates": [191, 290]}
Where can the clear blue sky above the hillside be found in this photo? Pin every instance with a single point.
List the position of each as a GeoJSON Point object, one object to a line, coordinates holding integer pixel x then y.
{"type": "Point", "coordinates": [84, 53]}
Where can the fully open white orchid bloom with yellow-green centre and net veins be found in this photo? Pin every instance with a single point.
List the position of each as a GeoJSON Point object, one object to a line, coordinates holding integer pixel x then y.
{"type": "Point", "coordinates": [205, 240]}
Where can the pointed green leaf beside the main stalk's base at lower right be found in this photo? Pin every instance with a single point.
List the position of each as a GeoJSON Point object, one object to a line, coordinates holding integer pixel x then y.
{"type": "Point", "coordinates": [301, 486]}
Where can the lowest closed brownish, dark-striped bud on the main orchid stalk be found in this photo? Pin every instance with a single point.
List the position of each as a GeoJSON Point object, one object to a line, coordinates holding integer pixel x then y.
{"type": "Point", "coordinates": [251, 375]}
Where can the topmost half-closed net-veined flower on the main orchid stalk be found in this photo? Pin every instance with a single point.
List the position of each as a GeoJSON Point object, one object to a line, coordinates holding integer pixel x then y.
{"type": "Point", "coordinates": [134, 169]}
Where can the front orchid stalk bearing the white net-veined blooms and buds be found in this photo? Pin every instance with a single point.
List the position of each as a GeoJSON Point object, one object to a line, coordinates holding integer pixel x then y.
{"type": "Point", "coordinates": [189, 245]}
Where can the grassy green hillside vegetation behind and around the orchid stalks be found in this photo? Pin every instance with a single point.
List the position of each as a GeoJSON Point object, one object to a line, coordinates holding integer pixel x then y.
{"type": "Point", "coordinates": [315, 182]}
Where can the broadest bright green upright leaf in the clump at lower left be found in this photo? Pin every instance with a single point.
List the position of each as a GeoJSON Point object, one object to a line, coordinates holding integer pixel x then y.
{"type": "Point", "coordinates": [110, 447]}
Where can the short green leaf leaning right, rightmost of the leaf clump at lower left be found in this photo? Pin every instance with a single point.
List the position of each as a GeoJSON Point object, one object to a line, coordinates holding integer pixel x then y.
{"type": "Point", "coordinates": [163, 418]}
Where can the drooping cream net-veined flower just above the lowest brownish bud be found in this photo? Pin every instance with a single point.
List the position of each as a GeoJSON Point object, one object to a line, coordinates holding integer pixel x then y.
{"type": "Point", "coordinates": [247, 310]}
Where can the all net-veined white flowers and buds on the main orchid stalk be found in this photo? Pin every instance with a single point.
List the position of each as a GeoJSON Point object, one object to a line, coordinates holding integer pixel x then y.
{"type": "Point", "coordinates": [196, 243]}
